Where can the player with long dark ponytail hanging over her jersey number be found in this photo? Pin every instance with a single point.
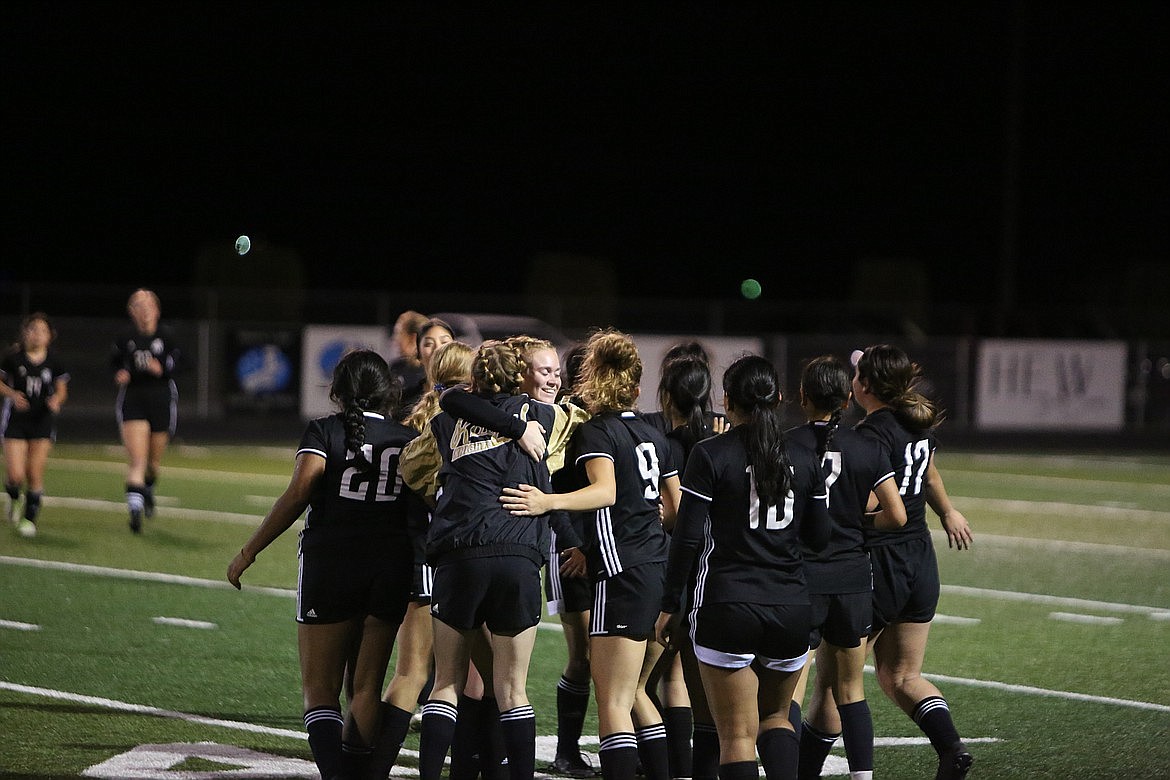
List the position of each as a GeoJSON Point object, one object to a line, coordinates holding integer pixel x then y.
{"type": "Point", "coordinates": [751, 500]}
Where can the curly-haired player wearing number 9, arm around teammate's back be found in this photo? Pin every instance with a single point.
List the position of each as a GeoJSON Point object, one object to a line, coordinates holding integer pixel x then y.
{"type": "Point", "coordinates": [630, 472]}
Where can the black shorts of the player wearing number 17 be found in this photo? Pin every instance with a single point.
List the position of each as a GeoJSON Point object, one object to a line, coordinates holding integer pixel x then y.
{"type": "Point", "coordinates": [906, 583]}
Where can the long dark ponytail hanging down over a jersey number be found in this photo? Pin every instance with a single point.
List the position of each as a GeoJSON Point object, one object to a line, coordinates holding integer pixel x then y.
{"type": "Point", "coordinates": [753, 388]}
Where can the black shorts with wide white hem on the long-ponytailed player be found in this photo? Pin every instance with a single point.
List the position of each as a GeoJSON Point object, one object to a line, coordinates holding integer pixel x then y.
{"type": "Point", "coordinates": [734, 636]}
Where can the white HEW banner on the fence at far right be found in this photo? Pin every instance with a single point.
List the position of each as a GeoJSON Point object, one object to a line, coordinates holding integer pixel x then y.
{"type": "Point", "coordinates": [1037, 385]}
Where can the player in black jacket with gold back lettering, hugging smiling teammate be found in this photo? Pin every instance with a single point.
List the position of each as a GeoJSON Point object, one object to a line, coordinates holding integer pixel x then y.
{"type": "Point", "coordinates": [487, 564]}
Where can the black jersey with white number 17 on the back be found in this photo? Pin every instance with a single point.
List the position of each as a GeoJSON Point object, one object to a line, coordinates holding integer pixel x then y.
{"type": "Point", "coordinates": [910, 455]}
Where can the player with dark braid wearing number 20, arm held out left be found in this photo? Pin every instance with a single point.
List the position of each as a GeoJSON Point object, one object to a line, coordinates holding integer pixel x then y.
{"type": "Point", "coordinates": [356, 558]}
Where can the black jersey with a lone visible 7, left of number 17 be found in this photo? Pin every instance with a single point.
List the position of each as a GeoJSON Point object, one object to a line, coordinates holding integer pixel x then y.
{"type": "Point", "coordinates": [854, 466]}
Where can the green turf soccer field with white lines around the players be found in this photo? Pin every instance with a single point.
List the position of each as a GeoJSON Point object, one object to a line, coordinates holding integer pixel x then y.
{"type": "Point", "coordinates": [130, 657]}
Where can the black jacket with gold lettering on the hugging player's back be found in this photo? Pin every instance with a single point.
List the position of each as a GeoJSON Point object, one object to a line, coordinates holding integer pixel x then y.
{"type": "Point", "coordinates": [469, 520]}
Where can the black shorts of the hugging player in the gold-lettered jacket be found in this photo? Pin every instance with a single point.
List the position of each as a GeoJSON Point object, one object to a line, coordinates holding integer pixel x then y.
{"type": "Point", "coordinates": [501, 592]}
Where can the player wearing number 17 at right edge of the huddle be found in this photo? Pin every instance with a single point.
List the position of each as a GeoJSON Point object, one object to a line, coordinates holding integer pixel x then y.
{"type": "Point", "coordinates": [906, 572]}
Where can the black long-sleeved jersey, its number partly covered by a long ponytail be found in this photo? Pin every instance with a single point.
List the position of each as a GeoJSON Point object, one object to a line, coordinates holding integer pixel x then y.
{"type": "Point", "coordinates": [748, 551]}
